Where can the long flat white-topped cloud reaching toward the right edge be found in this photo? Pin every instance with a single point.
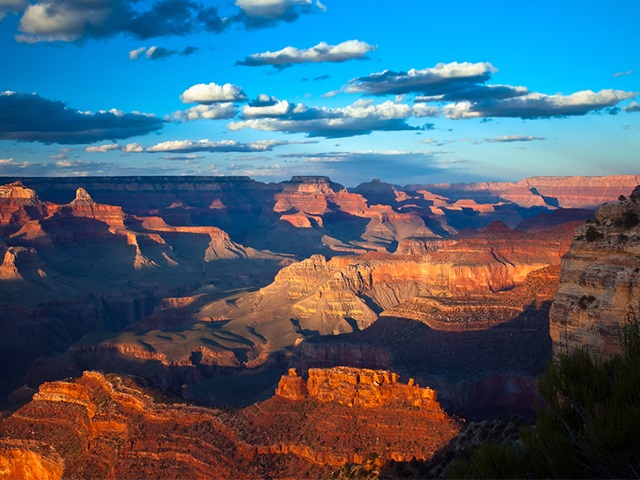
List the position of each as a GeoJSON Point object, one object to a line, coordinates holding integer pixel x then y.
{"type": "Point", "coordinates": [538, 105]}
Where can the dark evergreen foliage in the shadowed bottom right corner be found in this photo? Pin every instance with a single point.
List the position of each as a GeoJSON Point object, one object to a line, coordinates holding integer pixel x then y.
{"type": "Point", "coordinates": [588, 428]}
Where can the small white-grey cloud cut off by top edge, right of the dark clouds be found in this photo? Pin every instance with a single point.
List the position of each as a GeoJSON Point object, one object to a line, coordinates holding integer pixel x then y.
{"type": "Point", "coordinates": [265, 13]}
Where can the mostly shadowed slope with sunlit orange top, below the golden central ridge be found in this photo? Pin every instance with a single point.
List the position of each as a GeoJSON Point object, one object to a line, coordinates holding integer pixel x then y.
{"type": "Point", "coordinates": [481, 352]}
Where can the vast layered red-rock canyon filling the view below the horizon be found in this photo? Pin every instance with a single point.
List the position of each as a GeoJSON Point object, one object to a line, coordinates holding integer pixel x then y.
{"type": "Point", "coordinates": [221, 326]}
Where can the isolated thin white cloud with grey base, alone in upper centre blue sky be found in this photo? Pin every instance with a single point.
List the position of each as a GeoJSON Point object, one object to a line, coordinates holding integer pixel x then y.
{"type": "Point", "coordinates": [323, 52]}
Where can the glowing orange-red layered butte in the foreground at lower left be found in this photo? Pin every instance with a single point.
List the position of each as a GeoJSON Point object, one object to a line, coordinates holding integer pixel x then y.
{"type": "Point", "coordinates": [105, 426]}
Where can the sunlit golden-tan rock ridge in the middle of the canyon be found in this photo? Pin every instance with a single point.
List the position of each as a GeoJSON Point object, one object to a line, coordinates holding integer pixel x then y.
{"type": "Point", "coordinates": [346, 294]}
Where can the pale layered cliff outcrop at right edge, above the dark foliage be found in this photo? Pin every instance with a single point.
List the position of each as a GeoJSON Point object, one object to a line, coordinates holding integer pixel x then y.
{"type": "Point", "coordinates": [599, 288]}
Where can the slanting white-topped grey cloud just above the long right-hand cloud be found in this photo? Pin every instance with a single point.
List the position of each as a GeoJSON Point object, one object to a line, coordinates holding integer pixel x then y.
{"type": "Point", "coordinates": [438, 80]}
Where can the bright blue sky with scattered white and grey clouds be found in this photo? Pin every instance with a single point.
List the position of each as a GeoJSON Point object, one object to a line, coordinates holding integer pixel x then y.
{"type": "Point", "coordinates": [406, 91]}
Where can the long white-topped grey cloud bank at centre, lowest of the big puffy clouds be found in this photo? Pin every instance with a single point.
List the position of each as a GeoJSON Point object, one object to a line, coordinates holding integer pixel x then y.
{"type": "Point", "coordinates": [359, 118]}
